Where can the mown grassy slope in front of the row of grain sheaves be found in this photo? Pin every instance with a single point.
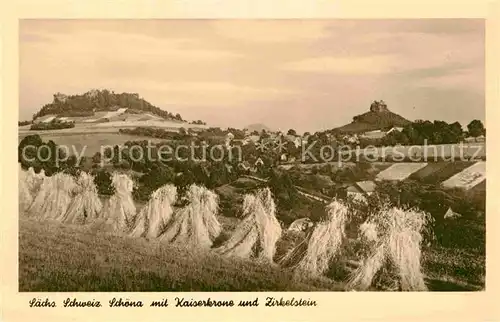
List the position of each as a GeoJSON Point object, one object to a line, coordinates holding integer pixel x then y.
{"type": "Point", "coordinates": [55, 257]}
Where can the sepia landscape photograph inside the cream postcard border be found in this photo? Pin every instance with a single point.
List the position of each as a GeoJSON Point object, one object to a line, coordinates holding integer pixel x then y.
{"type": "Point", "coordinates": [244, 155]}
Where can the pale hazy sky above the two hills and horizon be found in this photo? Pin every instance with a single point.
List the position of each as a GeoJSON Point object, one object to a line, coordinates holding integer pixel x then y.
{"type": "Point", "coordinates": [307, 75]}
